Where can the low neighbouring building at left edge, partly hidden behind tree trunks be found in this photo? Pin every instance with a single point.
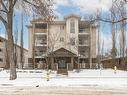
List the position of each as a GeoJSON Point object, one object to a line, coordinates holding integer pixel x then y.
{"type": "Point", "coordinates": [3, 54]}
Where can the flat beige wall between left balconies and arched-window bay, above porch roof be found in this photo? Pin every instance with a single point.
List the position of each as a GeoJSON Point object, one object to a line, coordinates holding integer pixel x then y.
{"type": "Point", "coordinates": [55, 33]}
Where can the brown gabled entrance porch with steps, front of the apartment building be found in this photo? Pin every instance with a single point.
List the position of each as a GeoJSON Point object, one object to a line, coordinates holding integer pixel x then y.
{"type": "Point", "coordinates": [63, 59]}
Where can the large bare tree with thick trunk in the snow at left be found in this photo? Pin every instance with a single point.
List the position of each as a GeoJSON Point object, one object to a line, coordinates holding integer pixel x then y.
{"type": "Point", "coordinates": [41, 7]}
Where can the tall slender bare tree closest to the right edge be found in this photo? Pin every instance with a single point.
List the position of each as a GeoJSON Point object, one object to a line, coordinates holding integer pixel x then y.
{"type": "Point", "coordinates": [120, 15]}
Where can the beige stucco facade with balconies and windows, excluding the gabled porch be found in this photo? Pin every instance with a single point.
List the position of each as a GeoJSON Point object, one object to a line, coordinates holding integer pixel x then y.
{"type": "Point", "coordinates": [72, 34]}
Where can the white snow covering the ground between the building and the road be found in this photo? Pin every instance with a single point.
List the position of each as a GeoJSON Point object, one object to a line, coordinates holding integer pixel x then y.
{"type": "Point", "coordinates": [86, 77]}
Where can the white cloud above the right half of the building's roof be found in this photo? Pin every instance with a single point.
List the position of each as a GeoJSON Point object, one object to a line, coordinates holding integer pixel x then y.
{"type": "Point", "coordinates": [92, 5]}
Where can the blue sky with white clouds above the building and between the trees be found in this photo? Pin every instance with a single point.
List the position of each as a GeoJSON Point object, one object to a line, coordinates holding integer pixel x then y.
{"type": "Point", "coordinates": [66, 7]}
